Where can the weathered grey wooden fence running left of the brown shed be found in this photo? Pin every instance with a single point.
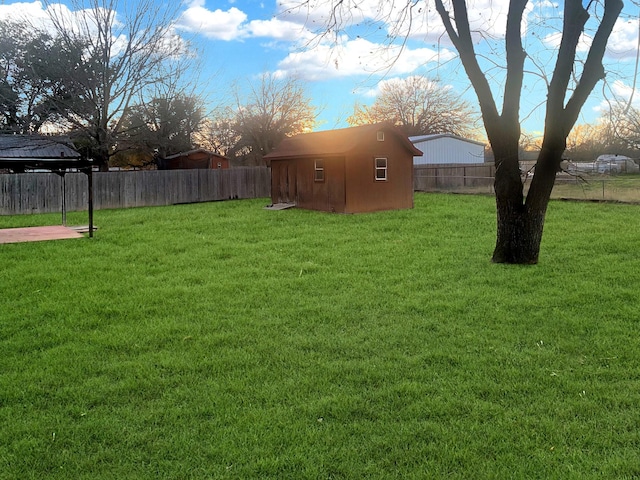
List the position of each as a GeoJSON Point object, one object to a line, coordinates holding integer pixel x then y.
{"type": "Point", "coordinates": [42, 192]}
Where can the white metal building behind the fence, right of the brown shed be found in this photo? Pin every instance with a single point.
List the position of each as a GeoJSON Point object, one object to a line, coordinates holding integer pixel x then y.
{"type": "Point", "coordinates": [447, 148]}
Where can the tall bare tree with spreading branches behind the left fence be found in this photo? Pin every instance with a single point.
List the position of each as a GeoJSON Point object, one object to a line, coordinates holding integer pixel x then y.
{"type": "Point", "coordinates": [111, 52]}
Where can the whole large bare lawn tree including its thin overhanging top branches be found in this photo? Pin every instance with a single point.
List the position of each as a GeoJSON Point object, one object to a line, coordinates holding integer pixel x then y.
{"type": "Point", "coordinates": [520, 218]}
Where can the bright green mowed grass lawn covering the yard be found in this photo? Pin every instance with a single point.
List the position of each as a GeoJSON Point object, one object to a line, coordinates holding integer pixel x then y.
{"type": "Point", "coordinates": [222, 340]}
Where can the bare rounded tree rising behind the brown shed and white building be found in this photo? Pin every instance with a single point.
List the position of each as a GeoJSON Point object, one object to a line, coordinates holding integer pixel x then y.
{"type": "Point", "coordinates": [419, 106]}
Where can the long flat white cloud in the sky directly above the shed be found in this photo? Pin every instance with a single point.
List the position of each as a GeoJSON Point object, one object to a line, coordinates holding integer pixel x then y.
{"type": "Point", "coordinates": [358, 57]}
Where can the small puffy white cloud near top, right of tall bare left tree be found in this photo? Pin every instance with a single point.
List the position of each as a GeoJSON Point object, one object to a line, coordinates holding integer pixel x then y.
{"type": "Point", "coordinates": [217, 24]}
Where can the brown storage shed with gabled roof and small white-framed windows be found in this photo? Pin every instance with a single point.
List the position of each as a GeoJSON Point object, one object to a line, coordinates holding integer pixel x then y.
{"type": "Point", "coordinates": [351, 170]}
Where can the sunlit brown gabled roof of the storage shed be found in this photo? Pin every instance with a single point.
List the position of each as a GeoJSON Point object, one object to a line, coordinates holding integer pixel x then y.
{"type": "Point", "coordinates": [335, 142]}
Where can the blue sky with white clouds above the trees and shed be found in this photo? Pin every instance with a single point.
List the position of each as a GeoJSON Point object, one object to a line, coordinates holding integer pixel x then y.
{"type": "Point", "coordinates": [240, 39]}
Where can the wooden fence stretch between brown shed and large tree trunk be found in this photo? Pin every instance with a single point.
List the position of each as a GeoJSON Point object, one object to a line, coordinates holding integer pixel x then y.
{"type": "Point", "coordinates": [429, 178]}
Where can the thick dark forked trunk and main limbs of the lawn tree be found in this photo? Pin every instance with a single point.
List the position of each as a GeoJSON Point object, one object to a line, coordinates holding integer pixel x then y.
{"type": "Point", "coordinates": [519, 222]}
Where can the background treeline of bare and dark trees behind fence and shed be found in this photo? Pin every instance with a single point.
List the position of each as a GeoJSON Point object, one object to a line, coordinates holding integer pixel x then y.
{"type": "Point", "coordinates": [128, 92]}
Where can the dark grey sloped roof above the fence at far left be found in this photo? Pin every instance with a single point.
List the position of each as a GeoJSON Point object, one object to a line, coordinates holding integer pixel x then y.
{"type": "Point", "coordinates": [39, 151]}
